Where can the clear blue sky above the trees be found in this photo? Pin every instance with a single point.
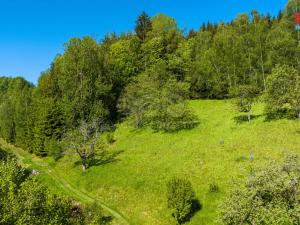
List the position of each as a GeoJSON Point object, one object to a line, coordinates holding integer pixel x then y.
{"type": "Point", "coordinates": [32, 32]}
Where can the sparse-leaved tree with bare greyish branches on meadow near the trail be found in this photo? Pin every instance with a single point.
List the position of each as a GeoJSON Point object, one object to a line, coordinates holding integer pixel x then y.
{"type": "Point", "coordinates": [84, 141]}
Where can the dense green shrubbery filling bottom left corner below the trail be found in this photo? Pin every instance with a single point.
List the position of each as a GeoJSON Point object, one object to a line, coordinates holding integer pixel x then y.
{"type": "Point", "coordinates": [24, 200]}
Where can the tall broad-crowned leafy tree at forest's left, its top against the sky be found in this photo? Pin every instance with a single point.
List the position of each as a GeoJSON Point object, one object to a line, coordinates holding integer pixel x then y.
{"type": "Point", "coordinates": [81, 80]}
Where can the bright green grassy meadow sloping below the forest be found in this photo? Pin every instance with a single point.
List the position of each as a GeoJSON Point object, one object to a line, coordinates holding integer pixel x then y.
{"type": "Point", "coordinates": [134, 184]}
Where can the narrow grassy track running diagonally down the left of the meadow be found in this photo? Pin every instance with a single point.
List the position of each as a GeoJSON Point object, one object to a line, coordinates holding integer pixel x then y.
{"type": "Point", "coordinates": [65, 186]}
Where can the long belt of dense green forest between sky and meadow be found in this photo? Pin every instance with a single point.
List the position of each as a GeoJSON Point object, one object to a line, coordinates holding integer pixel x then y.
{"type": "Point", "coordinates": [147, 75]}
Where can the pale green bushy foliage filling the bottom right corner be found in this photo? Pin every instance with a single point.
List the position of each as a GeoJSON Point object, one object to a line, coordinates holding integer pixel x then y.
{"type": "Point", "coordinates": [270, 196]}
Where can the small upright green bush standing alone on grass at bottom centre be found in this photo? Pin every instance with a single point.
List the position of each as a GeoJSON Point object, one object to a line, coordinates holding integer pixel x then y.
{"type": "Point", "coordinates": [181, 199]}
